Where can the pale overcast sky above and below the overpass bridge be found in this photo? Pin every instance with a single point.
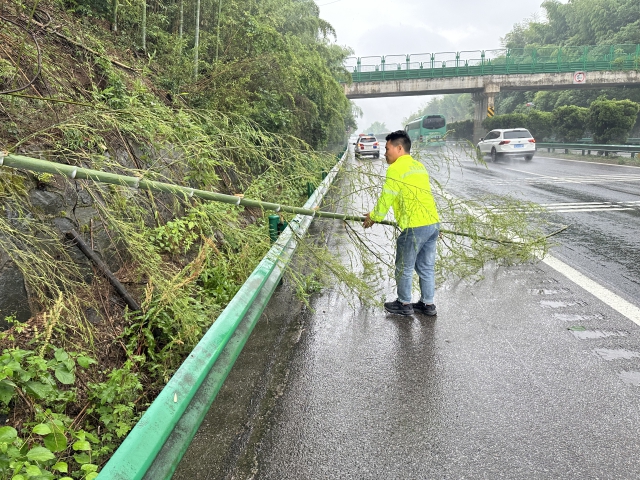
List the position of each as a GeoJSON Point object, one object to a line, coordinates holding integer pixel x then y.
{"type": "Point", "coordinates": [383, 27]}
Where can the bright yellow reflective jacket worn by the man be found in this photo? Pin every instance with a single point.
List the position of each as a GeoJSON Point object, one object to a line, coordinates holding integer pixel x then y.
{"type": "Point", "coordinates": [407, 189]}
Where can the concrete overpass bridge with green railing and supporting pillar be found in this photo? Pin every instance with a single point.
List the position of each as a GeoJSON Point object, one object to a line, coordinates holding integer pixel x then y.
{"type": "Point", "coordinates": [484, 73]}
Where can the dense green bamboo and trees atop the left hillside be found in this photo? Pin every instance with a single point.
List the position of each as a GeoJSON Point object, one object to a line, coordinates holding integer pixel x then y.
{"type": "Point", "coordinates": [273, 61]}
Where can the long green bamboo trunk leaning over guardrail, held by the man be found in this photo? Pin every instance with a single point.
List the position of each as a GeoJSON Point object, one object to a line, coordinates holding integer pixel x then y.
{"type": "Point", "coordinates": [69, 171]}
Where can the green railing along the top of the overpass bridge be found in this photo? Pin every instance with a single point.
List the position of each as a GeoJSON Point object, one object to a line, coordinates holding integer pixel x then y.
{"type": "Point", "coordinates": [526, 60]}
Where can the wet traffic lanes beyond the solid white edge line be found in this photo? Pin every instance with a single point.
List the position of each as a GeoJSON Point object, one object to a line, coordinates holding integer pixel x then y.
{"type": "Point", "coordinates": [601, 203]}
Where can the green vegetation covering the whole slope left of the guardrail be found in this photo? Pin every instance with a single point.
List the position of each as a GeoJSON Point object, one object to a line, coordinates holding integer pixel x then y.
{"type": "Point", "coordinates": [263, 117]}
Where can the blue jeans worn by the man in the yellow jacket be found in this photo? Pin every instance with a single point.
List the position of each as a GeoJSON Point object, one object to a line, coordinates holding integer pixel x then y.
{"type": "Point", "coordinates": [416, 250]}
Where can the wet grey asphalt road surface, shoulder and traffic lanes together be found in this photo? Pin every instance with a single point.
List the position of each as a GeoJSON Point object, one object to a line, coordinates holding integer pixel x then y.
{"type": "Point", "coordinates": [522, 375]}
